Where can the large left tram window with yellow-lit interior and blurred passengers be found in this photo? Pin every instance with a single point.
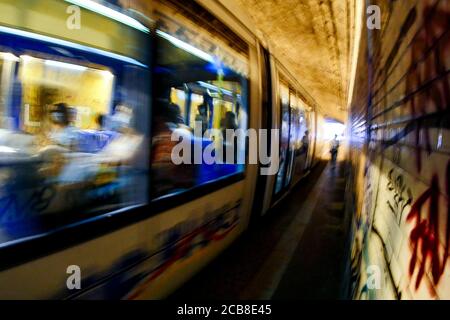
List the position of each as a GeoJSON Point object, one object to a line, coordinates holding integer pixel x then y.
{"type": "Point", "coordinates": [72, 137]}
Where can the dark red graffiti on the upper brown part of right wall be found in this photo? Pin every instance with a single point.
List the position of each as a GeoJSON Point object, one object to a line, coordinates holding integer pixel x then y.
{"type": "Point", "coordinates": [427, 81]}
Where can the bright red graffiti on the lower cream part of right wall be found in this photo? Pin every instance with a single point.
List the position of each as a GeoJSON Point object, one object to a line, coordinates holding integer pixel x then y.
{"type": "Point", "coordinates": [424, 238]}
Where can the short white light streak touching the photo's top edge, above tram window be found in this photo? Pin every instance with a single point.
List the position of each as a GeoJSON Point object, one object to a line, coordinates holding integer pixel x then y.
{"type": "Point", "coordinates": [110, 13]}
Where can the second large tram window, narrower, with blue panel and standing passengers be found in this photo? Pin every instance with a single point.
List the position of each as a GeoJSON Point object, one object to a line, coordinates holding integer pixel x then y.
{"type": "Point", "coordinates": [198, 99]}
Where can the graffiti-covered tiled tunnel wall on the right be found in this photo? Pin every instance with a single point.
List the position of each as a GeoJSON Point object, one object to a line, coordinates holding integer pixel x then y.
{"type": "Point", "coordinates": [400, 146]}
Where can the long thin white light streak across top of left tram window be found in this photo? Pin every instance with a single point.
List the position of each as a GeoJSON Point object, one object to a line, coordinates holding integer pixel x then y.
{"type": "Point", "coordinates": [68, 44]}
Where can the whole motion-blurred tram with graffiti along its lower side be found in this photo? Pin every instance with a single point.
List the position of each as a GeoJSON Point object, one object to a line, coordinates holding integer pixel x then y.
{"type": "Point", "coordinates": [90, 93]}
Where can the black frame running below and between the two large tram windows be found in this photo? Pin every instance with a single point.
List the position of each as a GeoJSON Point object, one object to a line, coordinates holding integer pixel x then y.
{"type": "Point", "coordinates": [22, 250]}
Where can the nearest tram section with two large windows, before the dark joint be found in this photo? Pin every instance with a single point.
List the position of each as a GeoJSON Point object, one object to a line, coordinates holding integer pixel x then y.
{"type": "Point", "coordinates": [137, 244]}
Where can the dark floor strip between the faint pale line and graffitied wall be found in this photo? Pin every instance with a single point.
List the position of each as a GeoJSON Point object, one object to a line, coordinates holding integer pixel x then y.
{"type": "Point", "coordinates": [315, 271]}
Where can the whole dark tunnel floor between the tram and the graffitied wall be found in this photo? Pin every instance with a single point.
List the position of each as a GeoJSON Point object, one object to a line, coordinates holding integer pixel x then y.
{"type": "Point", "coordinates": [297, 251]}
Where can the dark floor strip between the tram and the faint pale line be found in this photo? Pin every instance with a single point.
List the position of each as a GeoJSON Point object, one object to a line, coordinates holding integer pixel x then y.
{"type": "Point", "coordinates": [233, 271]}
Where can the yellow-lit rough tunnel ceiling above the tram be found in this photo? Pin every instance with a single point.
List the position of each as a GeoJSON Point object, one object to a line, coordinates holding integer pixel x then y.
{"type": "Point", "coordinates": [314, 37]}
